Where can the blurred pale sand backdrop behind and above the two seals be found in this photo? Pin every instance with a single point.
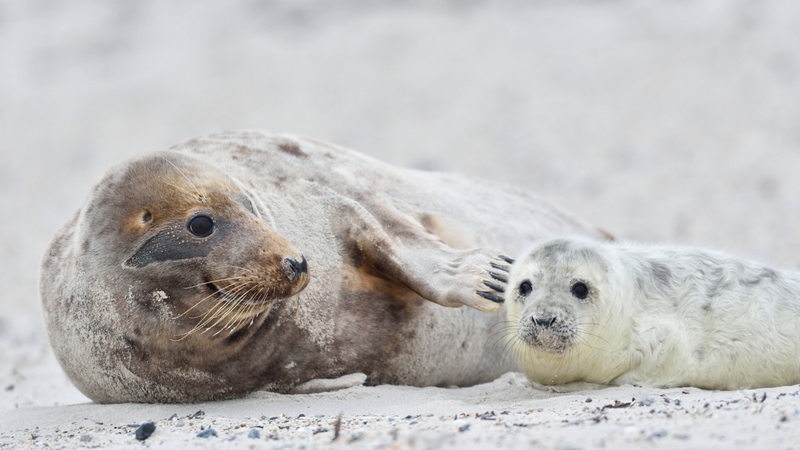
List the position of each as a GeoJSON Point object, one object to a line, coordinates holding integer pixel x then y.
{"type": "Point", "coordinates": [662, 121]}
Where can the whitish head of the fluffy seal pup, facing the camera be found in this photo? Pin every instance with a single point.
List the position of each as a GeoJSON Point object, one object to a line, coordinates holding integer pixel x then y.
{"type": "Point", "coordinates": [560, 308]}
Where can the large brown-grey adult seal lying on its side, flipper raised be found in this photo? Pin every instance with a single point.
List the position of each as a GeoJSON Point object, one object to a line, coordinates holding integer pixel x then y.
{"type": "Point", "coordinates": [246, 260]}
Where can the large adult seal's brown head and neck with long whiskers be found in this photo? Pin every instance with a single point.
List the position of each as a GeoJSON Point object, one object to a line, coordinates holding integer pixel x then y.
{"type": "Point", "coordinates": [168, 270]}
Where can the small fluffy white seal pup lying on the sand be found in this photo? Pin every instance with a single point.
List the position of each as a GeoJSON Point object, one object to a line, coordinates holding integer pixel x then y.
{"type": "Point", "coordinates": [620, 313]}
